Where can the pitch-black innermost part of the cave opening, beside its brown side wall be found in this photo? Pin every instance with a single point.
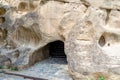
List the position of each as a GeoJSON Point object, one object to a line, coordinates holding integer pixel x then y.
{"type": "Point", "coordinates": [56, 49]}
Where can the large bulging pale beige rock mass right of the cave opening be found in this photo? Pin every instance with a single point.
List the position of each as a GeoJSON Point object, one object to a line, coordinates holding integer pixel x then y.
{"type": "Point", "coordinates": [95, 46]}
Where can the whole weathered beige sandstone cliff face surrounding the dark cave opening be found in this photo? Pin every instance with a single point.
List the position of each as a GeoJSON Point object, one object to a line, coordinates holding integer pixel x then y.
{"type": "Point", "coordinates": [88, 28]}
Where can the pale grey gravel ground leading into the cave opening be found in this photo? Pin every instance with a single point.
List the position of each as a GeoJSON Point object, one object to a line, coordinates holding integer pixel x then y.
{"type": "Point", "coordinates": [51, 69]}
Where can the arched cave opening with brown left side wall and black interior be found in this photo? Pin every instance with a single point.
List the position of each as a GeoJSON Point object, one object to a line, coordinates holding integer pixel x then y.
{"type": "Point", "coordinates": [51, 50]}
